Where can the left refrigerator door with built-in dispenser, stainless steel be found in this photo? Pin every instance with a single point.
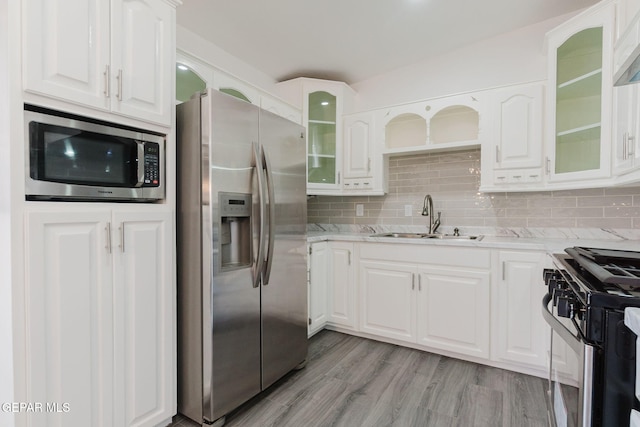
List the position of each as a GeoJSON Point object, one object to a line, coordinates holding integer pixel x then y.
{"type": "Point", "coordinates": [231, 301]}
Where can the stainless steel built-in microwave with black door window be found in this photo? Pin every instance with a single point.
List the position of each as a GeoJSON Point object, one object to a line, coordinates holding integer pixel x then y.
{"type": "Point", "coordinates": [75, 158]}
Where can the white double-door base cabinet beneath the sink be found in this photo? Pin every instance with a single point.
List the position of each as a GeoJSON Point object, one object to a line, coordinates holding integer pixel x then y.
{"type": "Point", "coordinates": [445, 306]}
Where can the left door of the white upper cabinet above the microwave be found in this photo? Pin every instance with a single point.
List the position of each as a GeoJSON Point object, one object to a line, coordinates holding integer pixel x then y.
{"type": "Point", "coordinates": [66, 50]}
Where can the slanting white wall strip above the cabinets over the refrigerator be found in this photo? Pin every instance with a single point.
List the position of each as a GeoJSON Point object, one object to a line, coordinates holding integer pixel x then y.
{"type": "Point", "coordinates": [210, 53]}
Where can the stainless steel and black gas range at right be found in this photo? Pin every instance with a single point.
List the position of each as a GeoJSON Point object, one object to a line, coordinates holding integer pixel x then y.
{"type": "Point", "coordinates": [588, 291]}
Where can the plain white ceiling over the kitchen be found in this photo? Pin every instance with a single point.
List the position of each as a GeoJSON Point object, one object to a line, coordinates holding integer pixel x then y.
{"type": "Point", "coordinates": [353, 40]}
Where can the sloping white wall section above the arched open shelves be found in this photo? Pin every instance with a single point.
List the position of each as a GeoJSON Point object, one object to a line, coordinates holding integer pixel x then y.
{"type": "Point", "coordinates": [511, 58]}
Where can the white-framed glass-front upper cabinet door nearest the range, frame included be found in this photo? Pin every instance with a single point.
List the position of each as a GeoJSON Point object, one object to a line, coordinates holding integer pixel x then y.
{"type": "Point", "coordinates": [580, 76]}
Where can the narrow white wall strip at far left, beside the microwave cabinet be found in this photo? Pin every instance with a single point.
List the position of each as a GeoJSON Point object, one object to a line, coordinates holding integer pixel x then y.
{"type": "Point", "coordinates": [6, 324]}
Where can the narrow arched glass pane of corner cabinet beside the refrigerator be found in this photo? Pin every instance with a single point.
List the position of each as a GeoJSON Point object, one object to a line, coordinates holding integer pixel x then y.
{"type": "Point", "coordinates": [321, 138]}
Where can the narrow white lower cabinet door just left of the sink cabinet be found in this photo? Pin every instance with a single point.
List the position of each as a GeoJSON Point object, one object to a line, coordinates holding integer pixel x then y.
{"type": "Point", "coordinates": [341, 302]}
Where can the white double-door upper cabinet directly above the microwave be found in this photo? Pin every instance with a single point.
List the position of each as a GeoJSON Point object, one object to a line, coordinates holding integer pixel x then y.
{"type": "Point", "coordinates": [115, 56]}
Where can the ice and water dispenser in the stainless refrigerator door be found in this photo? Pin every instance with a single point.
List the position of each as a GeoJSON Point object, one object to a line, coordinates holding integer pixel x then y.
{"type": "Point", "coordinates": [235, 230]}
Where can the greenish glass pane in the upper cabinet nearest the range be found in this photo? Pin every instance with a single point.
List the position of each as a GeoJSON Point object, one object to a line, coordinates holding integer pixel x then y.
{"type": "Point", "coordinates": [579, 102]}
